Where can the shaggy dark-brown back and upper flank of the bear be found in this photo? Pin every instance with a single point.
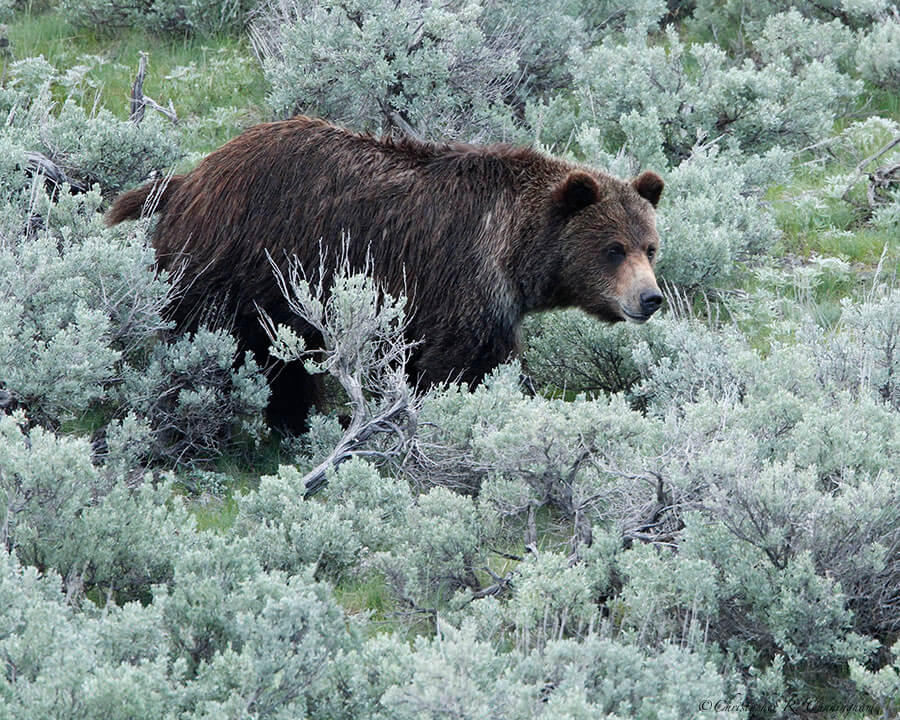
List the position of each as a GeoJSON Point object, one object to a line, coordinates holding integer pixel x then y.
{"type": "Point", "coordinates": [299, 187]}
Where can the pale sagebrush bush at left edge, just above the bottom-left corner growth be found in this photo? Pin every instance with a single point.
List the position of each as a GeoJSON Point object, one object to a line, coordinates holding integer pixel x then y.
{"type": "Point", "coordinates": [63, 513]}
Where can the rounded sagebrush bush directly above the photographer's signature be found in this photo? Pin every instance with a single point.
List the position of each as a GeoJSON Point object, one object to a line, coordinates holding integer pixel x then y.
{"type": "Point", "coordinates": [762, 591]}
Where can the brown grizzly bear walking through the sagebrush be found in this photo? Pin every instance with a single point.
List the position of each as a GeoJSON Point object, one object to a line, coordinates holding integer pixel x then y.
{"type": "Point", "coordinates": [476, 236]}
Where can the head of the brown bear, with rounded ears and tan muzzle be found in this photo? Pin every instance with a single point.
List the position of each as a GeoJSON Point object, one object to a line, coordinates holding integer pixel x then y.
{"type": "Point", "coordinates": [609, 243]}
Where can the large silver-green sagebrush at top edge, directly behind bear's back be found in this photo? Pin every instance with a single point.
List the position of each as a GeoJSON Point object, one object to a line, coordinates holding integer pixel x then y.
{"type": "Point", "coordinates": [465, 71]}
